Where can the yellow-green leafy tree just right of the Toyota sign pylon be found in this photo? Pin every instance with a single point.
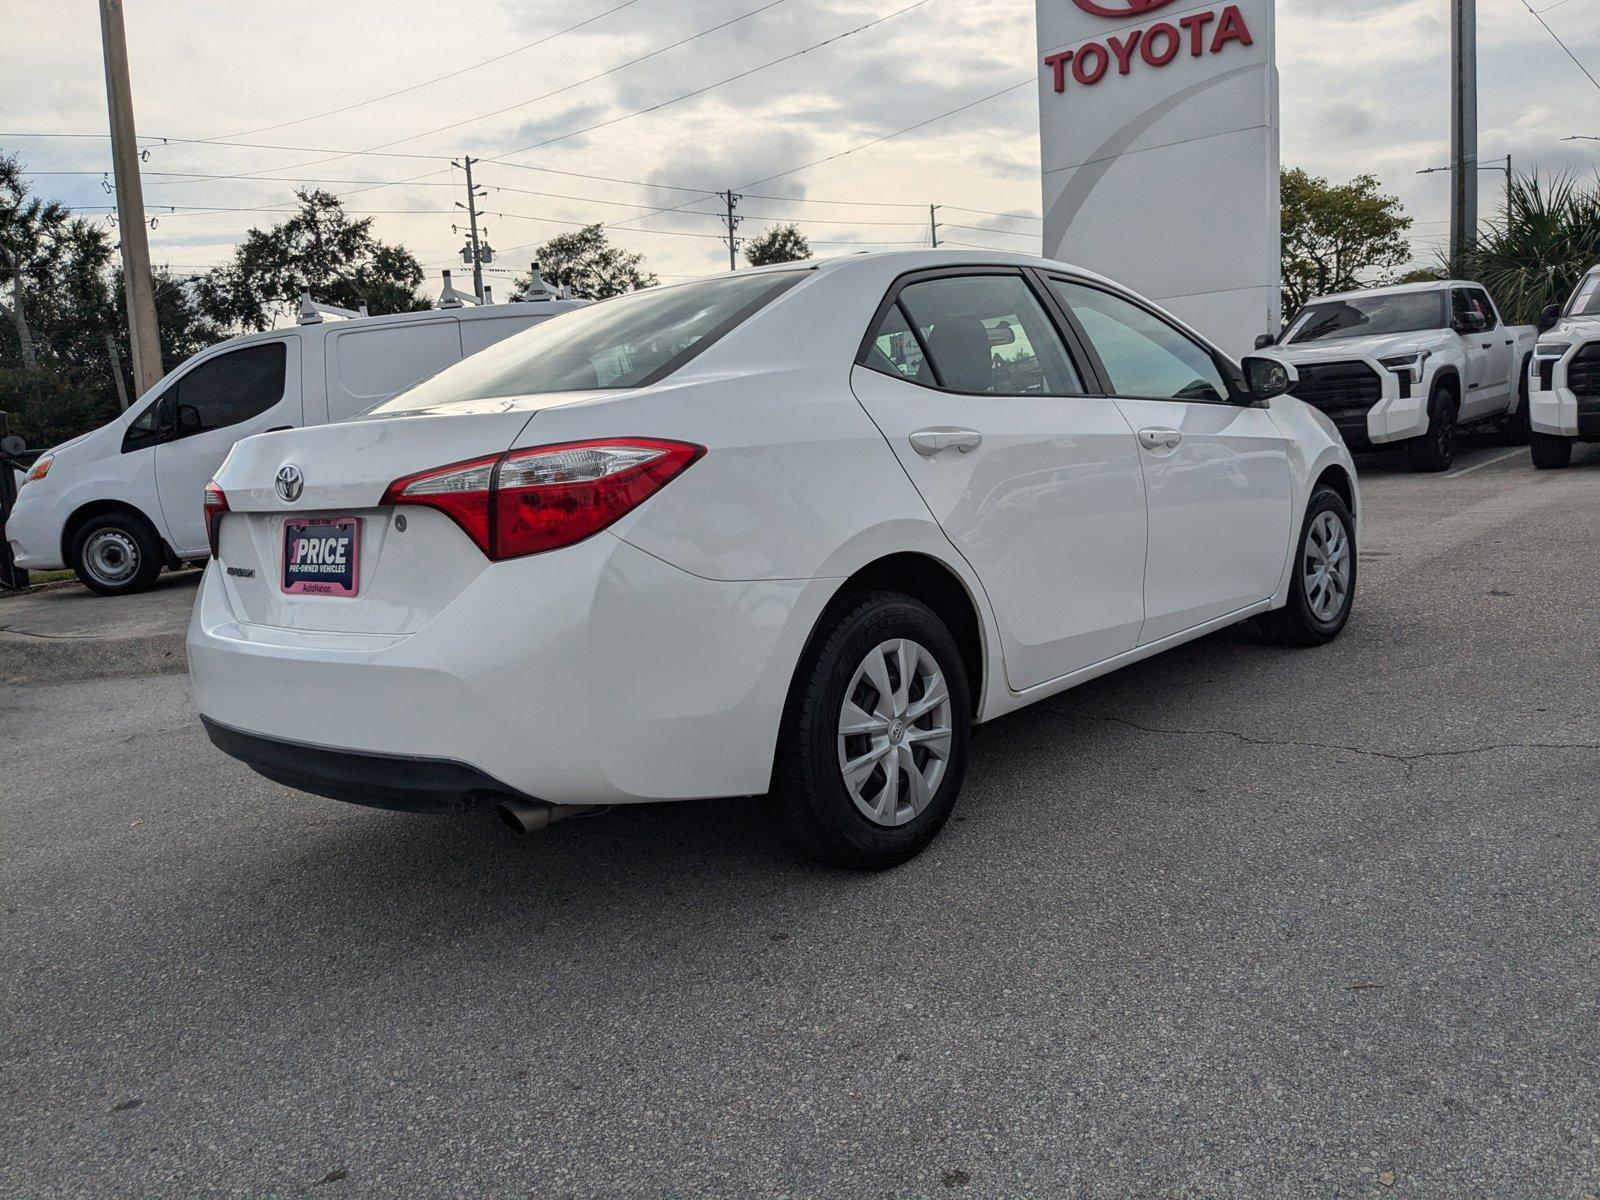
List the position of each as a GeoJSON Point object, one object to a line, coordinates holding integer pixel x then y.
{"type": "Point", "coordinates": [1338, 238]}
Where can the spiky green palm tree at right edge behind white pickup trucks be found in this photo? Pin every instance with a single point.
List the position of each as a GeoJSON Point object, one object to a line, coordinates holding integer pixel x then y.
{"type": "Point", "coordinates": [1546, 239]}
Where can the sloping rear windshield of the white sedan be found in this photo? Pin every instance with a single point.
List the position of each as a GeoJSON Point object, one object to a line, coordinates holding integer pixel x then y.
{"type": "Point", "coordinates": [628, 342]}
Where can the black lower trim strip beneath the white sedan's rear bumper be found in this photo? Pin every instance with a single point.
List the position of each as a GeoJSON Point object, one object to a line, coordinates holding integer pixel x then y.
{"type": "Point", "coordinates": [402, 783]}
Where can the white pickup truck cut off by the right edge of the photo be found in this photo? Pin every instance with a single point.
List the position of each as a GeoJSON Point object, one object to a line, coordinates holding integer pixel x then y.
{"type": "Point", "coordinates": [1566, 402]}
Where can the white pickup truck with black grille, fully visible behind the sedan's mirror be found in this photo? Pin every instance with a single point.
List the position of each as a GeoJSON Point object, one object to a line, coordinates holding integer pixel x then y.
{"type": "Point", "coordinates": [1409, 366]}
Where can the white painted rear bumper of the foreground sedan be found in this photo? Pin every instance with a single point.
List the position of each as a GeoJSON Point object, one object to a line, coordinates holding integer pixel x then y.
{"type": "Point", "coordinates": [594, 674]}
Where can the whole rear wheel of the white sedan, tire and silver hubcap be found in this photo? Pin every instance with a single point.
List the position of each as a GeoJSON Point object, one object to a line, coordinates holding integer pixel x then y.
{"type": "Point", "coordinates": [874, 742]}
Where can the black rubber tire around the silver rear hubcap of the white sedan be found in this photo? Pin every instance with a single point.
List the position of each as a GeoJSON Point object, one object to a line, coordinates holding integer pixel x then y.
{"type": "Point", "coordinates": [814, 809]}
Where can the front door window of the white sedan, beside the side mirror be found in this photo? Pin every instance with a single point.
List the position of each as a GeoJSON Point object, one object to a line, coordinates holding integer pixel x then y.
{"type": "Point", "coordinates": [1145, 358]}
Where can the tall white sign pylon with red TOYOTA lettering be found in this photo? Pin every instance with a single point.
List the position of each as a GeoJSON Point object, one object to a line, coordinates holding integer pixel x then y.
{"type": "Point", "coordinates": [1159, 135]}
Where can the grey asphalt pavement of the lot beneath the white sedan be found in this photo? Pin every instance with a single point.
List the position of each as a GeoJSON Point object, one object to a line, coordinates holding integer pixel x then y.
{"type": "Point", "coordinates": [1239, 921]}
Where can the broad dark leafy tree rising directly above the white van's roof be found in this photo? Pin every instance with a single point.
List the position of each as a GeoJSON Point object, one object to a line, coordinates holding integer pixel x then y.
{"type": "Point", "coordinates": [321, 250]}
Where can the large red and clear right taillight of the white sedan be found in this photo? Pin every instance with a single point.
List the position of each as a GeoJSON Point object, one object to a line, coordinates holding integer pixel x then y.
{"type": "Point", "coordinates": [529, 502]}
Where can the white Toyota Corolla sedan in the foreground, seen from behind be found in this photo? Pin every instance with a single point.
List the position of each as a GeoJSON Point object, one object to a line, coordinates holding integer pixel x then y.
{"type": "Point", "coordinates": [785, 532]}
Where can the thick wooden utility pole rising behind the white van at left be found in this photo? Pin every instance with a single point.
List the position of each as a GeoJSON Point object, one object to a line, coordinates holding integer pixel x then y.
{"type": "Point", "coordinates": [143, 334]}
